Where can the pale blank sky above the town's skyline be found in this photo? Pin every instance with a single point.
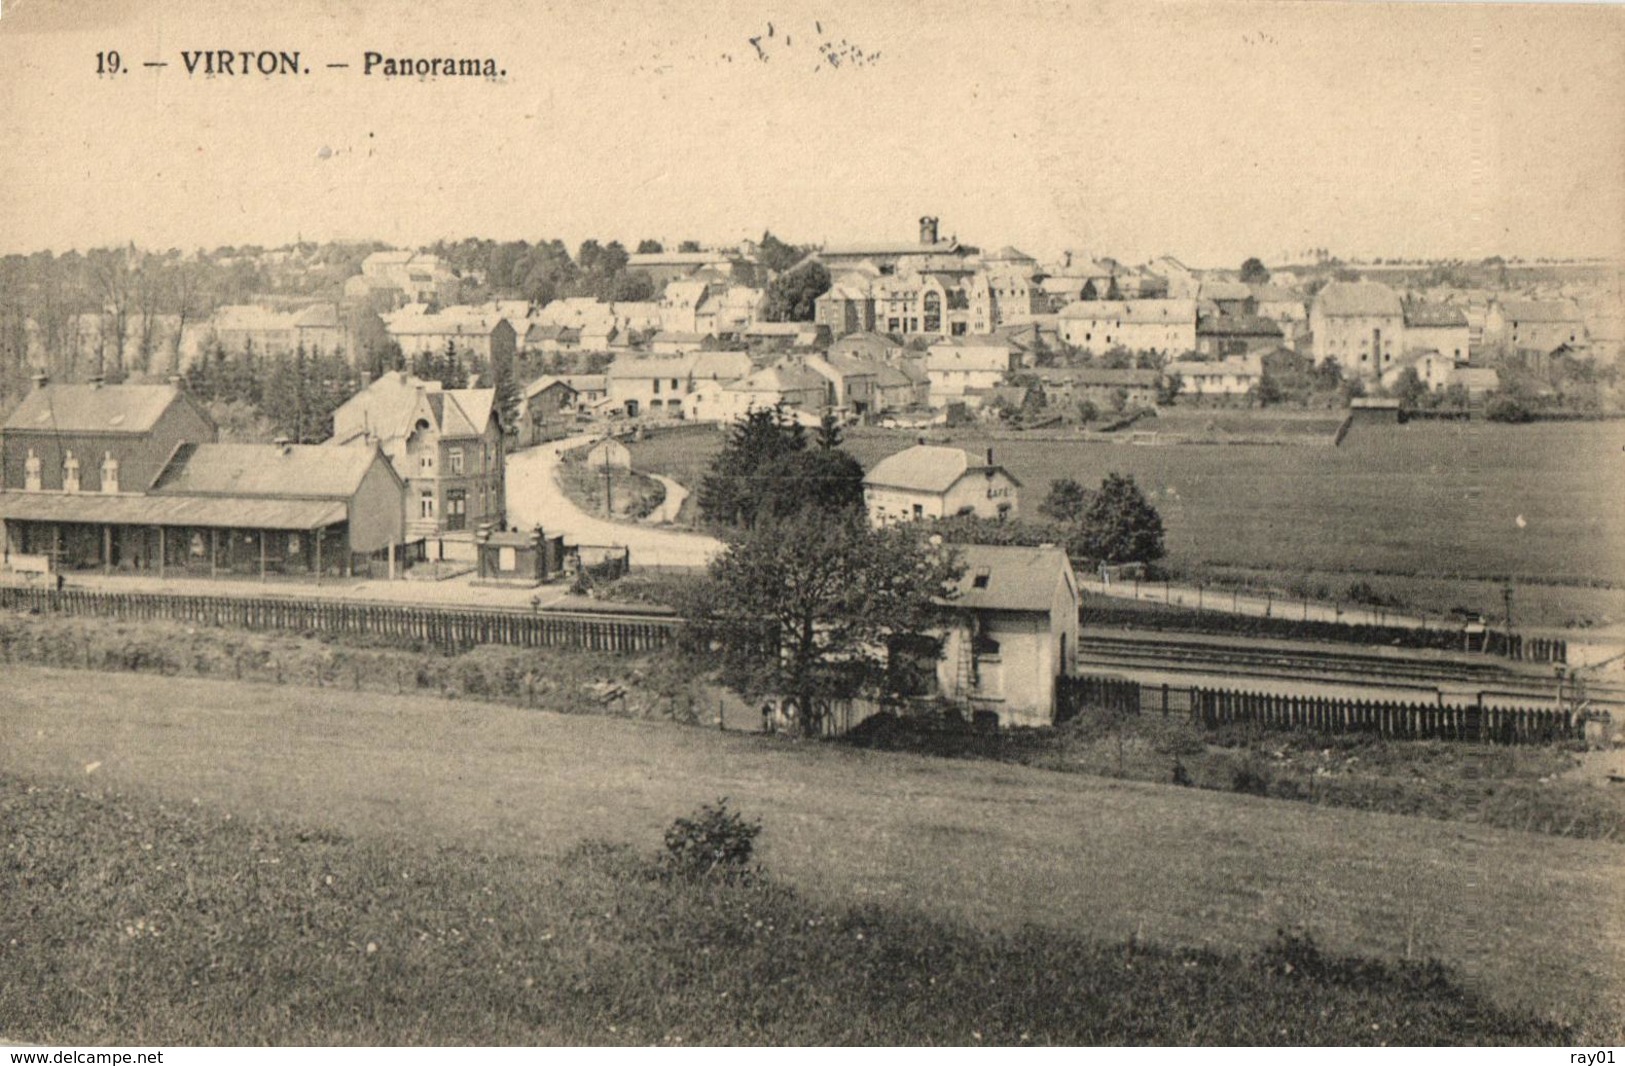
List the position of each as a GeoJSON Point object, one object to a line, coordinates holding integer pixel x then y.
{"type": "Point", "coordinates": [1207, 131]}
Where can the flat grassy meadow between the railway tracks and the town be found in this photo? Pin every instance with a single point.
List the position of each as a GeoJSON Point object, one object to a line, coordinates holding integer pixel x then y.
{"type": "Point", "coordinates": [1432, 501]}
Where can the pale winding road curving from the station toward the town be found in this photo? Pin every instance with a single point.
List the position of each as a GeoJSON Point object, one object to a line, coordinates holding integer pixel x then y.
{"type": "Point", "coordinates": [535, 498]}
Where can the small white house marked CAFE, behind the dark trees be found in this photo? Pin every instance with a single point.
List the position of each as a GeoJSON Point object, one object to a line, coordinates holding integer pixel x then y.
{"type": "Point", "coordinates": [930, 482]}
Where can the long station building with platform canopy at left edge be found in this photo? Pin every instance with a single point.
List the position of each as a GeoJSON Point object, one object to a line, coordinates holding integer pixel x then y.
{"type": "Point", "coordinates": [131, 480]}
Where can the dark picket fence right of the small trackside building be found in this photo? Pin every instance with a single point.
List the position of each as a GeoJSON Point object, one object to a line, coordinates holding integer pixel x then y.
{"type": "Point", "coordinates": [1395, 721]}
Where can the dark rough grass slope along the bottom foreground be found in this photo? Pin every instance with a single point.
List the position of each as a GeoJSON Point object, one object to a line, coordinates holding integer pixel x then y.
{"type": "Point", "coordinates": [134, 922]}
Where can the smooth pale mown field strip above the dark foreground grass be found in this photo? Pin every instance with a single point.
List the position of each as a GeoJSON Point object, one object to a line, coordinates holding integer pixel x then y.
{"type": "Point", "coordinates": [1532, 921]}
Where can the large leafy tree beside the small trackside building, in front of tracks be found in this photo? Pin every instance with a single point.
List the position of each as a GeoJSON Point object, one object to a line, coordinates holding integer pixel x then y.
{"type": "Point", "coordinates": [804, 607]}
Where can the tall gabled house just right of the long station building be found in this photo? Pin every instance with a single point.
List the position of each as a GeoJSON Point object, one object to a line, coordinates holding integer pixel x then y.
{"type": "Point", "coordinates": [446, 444]}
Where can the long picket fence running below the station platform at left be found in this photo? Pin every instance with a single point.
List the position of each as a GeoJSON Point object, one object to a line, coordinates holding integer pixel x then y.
{"type": "Point", "coordinates": [446, 628]}
